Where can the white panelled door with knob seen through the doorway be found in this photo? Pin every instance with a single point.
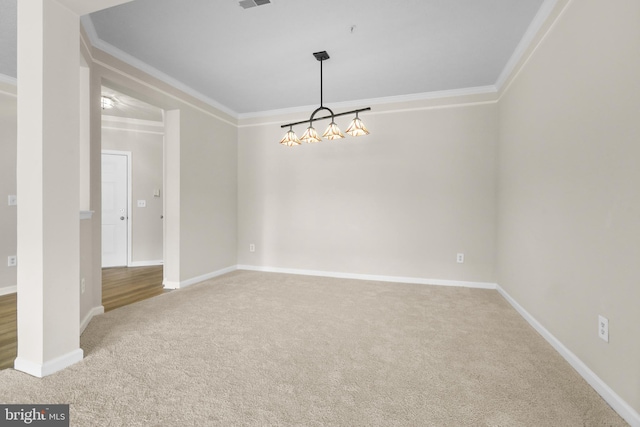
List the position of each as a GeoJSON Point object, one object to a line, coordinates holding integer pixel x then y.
{"type": "Point", "coordinates": [115, 217]}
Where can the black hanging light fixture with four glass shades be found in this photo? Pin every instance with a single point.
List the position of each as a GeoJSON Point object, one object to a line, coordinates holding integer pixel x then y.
{"type": "Point", "coordinates": [356, 128]}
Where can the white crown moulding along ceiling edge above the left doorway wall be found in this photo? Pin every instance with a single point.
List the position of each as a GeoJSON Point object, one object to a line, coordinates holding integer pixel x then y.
{"type": "Point", "coordinates": [143, 66]}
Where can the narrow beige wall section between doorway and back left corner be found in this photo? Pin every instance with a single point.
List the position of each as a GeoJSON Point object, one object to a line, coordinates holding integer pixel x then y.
{"type": "Point", "coordinates": [208, 195]}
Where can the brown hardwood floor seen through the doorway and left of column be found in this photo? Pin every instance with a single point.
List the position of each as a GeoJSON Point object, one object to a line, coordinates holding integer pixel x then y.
{"type": "Point", "coordinates": [120, 287]}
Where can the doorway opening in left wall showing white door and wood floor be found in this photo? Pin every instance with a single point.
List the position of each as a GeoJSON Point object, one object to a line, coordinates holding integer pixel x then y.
{"type": "Point", "coordinates": [132, 198]}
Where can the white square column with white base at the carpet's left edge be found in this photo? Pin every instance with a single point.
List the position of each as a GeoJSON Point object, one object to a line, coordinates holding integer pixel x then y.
{"type": "Point", "coordinates": [48, 187]}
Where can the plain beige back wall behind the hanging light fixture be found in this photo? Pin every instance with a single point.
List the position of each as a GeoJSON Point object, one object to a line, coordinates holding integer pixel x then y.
{"type": "Point", "coordinates": [402, 201]}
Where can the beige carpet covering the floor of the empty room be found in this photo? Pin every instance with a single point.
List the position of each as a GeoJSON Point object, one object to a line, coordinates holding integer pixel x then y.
{"type": "Point", "coordinates": [264, 349]}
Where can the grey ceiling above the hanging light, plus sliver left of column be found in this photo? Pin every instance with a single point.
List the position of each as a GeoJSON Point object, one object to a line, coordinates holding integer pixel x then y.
{"type": "Point", "coordinates": [260, 59]}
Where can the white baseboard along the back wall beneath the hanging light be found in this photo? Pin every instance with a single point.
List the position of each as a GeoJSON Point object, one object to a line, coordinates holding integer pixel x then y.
{"type": "Point", "coordinates": [371, 277]}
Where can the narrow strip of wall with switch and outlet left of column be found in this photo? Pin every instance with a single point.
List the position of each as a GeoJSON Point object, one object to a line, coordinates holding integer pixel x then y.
{"type": "Point", "coordinates": [8, 214]}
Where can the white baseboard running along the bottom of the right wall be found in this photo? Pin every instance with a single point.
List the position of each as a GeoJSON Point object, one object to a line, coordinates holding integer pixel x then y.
{"type": "Point", "coordinates": [615, 401]}
